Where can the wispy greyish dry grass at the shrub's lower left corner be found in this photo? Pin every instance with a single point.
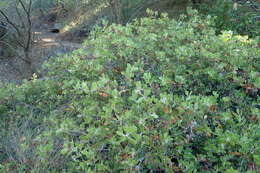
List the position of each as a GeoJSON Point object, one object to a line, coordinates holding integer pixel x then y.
{"type": "Point", "coordinates": [27, 148]}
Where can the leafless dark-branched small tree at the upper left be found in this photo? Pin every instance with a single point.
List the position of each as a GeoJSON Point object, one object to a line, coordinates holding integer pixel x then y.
{"type": "Point", "coordinates": [19, 27]}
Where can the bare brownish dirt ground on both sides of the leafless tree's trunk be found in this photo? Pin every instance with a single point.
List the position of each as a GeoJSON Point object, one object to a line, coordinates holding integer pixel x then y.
{"type": "Point", "coordinates": [46, 44]}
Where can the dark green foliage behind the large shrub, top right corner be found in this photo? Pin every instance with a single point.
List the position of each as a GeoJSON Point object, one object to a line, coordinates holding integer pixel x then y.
{"type": "Point", "coordinates": [240, 17]}
